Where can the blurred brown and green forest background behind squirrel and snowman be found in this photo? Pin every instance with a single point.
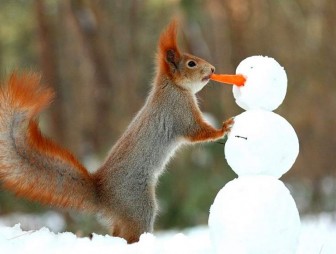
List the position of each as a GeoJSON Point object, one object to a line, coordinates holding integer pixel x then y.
{"type": "Point", "coordinates": [99, 57]}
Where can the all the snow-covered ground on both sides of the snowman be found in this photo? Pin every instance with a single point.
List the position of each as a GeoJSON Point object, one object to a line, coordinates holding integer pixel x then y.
{"type": "Point", "coordinates": [318, 236]}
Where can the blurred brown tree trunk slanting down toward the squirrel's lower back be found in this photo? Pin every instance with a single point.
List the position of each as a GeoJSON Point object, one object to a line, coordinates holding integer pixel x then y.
{"type": "Point", "coordinates": [87, 22]}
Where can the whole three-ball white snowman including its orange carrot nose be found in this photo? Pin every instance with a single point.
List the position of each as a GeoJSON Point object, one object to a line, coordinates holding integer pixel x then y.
{"type": "Point", "coordinates": [255, 213]}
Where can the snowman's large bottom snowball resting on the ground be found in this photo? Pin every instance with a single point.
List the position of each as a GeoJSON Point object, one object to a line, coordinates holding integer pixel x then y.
{"type": "Point", "coordinates": [254, 214]}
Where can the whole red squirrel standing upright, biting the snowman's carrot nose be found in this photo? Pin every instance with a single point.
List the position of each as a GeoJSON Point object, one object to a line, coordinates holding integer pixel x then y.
{"type": "Point", "coordinates": [122, 190]}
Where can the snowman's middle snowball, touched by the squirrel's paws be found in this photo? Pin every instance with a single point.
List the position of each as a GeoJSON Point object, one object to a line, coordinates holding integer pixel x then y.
{"type": "Point", "coordinates": [261, 143]}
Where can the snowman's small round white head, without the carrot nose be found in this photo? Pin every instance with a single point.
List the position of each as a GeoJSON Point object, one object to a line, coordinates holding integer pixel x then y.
{"type": "Point", "coordinates": [265, 86]}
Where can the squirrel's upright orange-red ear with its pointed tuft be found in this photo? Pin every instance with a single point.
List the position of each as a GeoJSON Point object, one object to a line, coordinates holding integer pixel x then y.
{"type": "Point", "coordinates": [168, 52]}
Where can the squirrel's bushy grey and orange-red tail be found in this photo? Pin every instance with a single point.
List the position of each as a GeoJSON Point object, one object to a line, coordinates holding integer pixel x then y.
{"type": "Point", "coordinates": [31, 165]}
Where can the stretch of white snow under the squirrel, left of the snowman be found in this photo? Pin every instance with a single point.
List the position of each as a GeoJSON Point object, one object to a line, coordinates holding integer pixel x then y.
{"type": "Point", "coordinates": [15, 240]}
